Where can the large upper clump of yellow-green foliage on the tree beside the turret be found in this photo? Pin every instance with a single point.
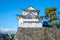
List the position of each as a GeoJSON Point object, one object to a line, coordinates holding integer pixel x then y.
{"type": "Point", "coordinates": [50, 13]}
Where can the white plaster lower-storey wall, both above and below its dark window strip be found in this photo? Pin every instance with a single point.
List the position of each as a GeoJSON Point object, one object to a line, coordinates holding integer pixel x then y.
{"type": "Point", "coordinates": [29, 25]}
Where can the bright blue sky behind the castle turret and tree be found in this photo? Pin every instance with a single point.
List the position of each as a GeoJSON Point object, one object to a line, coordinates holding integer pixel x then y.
{"type": "Point", "coordinates": [9, 9]}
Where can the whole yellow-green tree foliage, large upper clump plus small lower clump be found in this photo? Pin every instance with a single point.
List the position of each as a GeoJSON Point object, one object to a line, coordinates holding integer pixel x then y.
{"type": "Point", "coordinates": [51, 14]}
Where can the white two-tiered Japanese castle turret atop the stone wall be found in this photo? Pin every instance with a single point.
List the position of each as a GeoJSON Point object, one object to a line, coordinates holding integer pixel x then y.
{"type": "Point", "coordinates": [30, 18]}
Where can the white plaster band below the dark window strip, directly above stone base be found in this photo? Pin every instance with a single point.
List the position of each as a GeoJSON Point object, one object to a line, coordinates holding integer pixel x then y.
{"type": "Point", "coordinates": [30, 25]}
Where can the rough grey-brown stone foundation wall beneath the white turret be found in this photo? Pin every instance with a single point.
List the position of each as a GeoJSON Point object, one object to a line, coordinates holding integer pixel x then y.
{"type": "Point", "coordinates": [38, 34]}
